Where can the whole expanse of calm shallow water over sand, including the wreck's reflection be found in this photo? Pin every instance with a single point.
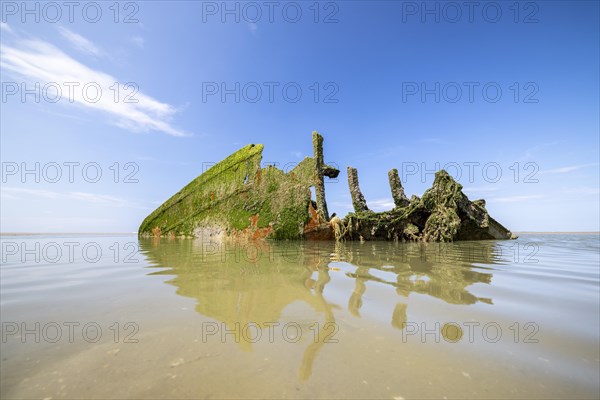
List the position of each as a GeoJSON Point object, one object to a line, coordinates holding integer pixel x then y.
{"type": "Point", "coordinates": [114, 317]}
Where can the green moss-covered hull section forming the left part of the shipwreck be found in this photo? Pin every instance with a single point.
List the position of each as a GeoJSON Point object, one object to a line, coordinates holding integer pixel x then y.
{"type": "Point", "coordinates": [238, 198]}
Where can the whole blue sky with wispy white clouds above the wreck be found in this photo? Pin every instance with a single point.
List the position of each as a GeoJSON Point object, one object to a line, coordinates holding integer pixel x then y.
{"type": "Point", "coordinates": [387, 85]}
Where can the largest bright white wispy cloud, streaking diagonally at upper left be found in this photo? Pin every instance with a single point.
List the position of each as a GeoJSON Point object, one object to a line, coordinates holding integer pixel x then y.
{"type": "Point", "coordinates": [37, 61]}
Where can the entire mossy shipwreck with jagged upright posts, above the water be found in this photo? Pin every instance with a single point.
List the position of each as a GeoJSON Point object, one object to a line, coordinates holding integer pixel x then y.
{"type": "Point", "coordinates": [237, 199]}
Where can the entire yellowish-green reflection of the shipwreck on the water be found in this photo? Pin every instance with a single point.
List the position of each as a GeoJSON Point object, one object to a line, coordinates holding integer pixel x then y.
{"type": "Point", "coordinates": [253, 283]}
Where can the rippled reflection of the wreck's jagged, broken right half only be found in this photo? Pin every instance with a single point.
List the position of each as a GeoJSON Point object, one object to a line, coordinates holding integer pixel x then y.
{"type": "Point", "coordinates": [441, 270]}
